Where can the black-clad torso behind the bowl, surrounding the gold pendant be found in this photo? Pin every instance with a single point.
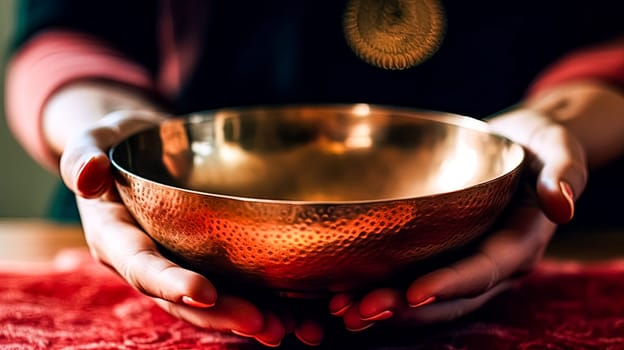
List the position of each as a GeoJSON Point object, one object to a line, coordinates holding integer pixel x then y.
{"type": "Point", "coordinates": [295, 52]}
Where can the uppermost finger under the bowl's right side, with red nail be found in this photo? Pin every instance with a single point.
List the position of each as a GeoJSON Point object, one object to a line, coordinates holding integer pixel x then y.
{"type": "Point", "coordinates": [516, 247]}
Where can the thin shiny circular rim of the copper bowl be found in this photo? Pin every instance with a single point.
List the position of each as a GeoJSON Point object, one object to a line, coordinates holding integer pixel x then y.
{"type": "Point", "coordinates": [458, 120]}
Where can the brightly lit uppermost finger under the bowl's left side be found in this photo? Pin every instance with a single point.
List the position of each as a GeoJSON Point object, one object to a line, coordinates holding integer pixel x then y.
{"type": "Point", "coordinates": [116, 241]}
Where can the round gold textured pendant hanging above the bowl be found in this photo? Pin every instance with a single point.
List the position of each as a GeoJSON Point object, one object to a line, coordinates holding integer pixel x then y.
{"type": "Point", "coordinates": [394, 34]}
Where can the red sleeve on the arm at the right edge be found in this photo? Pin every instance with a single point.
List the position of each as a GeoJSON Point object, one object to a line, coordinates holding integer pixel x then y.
{"type": "Point", "coordinates": [602, 62]}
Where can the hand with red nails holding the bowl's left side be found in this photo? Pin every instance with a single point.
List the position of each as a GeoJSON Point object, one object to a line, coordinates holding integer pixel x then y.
{"type": "Point", "coordinates": [115, 240]}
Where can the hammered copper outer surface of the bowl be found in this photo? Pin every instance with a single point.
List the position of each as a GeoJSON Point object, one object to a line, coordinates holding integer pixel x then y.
{"type": "Point", "coordinates": [310, 248]}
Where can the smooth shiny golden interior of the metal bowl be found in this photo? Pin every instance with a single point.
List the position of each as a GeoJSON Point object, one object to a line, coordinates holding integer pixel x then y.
{"type": "Point", "coordinates": [319, 153]}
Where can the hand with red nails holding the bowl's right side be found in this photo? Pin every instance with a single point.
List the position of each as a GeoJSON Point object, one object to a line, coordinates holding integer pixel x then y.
{"type": "Point", "coordinates": [558, 161]}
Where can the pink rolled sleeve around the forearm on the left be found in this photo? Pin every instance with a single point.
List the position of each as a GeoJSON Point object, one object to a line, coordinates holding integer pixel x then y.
{"type": "Point", "coordinates": [46, 63]}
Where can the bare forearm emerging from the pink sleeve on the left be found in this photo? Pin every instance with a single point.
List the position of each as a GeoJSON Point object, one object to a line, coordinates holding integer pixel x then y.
{"type": "Point", "coordinates": [78, 105]}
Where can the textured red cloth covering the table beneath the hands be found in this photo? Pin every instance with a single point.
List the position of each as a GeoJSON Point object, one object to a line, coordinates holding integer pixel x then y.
{"type": "Point", "coordinates": [75, 303]}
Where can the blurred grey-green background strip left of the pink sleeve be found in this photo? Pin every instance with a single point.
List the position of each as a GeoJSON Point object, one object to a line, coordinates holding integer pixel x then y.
{"type": "Point", "coordinates": [25, 187]}
